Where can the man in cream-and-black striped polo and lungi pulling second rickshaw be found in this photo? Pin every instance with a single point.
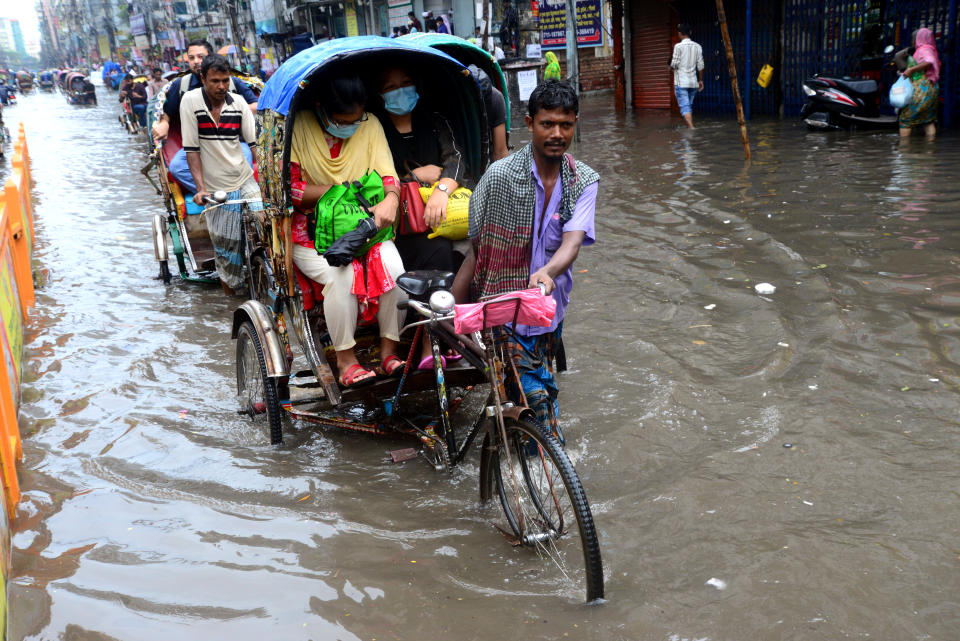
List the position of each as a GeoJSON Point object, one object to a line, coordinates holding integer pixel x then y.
{"type": "Point", "coordinates": [214, 124]}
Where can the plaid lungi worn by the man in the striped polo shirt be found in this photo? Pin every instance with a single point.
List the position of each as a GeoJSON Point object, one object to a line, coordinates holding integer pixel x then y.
{"type": "Point", "coordinates": [225, 226]}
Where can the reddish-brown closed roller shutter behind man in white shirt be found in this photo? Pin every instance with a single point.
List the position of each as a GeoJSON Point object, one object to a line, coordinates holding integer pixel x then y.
{"type": "Point", "coordinates": [650, 53]}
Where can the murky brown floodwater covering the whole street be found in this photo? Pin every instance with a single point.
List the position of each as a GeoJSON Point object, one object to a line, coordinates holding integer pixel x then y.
{"type": "Point", "coordinates": [760, 467]}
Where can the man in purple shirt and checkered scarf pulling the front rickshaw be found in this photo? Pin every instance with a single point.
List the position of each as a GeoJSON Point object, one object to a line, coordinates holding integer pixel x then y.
{"type": "Point", "coordinates": [529, 216]}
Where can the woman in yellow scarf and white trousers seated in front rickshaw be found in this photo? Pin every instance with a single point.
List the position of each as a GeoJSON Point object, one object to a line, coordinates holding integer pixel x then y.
{"type": "Point", "coordinates": [334, 140]}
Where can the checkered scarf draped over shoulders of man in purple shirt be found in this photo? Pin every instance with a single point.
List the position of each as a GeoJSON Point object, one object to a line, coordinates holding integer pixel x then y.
{"type": "Point", "coordinates": [502, 214]}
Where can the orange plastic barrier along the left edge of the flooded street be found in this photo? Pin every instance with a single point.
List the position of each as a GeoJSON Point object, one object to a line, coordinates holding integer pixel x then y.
{"type": "Point", "coordinates": [16, 299]}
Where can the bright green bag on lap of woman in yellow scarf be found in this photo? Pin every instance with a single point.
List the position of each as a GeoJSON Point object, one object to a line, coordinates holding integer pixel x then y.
{"type": "Point", "coordinates": [338, 211]}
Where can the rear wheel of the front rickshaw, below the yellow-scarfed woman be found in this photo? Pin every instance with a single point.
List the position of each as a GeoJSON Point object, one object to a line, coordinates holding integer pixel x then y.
{"type": "Point", "coordinates": [256, 391]}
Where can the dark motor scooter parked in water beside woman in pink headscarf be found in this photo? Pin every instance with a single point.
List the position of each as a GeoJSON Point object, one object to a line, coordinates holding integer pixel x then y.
{"type": "Point", "coordinates": [844, 103]}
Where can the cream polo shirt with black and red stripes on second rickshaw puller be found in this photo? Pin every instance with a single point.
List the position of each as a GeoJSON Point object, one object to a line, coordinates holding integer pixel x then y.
{"type": "Point", "coordinates": [218, 143]}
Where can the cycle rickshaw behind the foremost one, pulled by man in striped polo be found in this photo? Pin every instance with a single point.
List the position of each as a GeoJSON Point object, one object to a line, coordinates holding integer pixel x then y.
{"type": "Point", "coordinates": [183, 229]}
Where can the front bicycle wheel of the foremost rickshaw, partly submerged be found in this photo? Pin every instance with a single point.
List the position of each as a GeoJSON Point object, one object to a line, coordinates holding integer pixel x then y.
{"type": "Point", "coordinates": [543, 503]}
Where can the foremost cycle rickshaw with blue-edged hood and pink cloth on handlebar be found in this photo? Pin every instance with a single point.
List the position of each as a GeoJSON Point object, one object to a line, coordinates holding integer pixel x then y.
{"type": "Point", "coordinates": [523, 467]}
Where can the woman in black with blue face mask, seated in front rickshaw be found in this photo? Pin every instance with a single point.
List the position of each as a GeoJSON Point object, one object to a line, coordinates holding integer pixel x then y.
{"type": "Point", "coordinates": [424, 150]}
